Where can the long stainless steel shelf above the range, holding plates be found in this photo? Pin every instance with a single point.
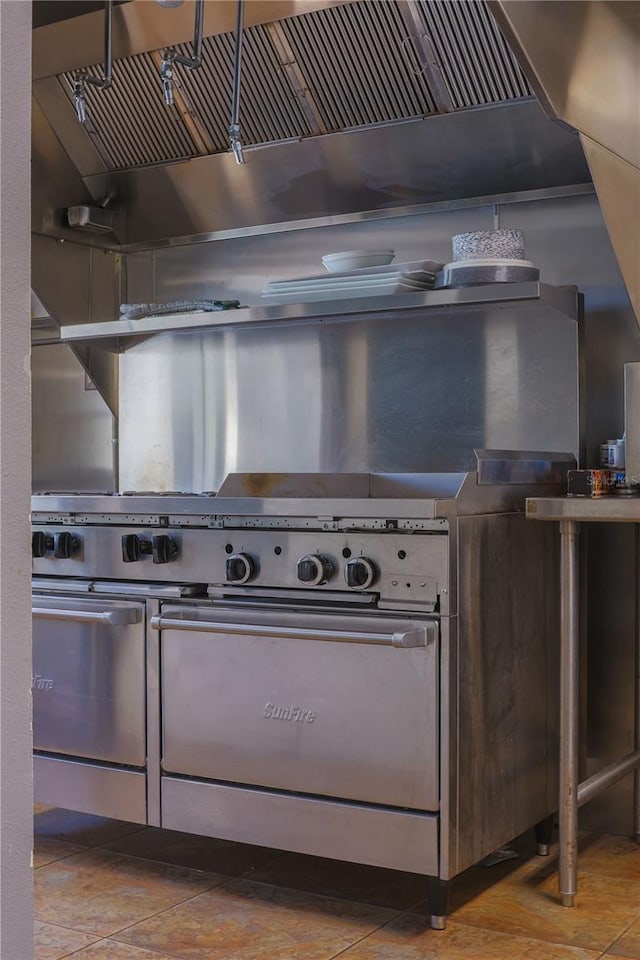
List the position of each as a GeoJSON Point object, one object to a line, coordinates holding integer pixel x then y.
{"type": "Point", "coordinates": [562, 299]}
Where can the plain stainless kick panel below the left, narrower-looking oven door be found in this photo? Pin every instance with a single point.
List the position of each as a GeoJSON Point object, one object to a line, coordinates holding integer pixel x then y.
{"type": "Point", "coordinates": [89, 788]}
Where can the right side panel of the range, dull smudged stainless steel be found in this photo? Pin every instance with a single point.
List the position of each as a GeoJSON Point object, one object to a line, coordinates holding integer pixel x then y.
{"type": "Point", "coordinates": [500, 676]}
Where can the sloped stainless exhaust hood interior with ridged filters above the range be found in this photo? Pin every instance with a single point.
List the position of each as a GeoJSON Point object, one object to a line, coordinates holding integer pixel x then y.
{"type": "Point", "coordinates": [346, 107]}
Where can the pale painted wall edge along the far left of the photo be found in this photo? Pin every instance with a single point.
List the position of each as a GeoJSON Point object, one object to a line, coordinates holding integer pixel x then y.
{"type": "Point", "coordinates": [16, 824]}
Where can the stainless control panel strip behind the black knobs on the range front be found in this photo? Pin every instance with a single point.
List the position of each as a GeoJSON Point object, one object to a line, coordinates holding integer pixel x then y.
{"type": "Point", "coordinates": [414, 567]}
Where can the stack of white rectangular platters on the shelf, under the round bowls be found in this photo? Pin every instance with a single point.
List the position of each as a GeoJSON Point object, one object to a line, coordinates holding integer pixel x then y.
{"type": "Point", "coordinates": [368, 282]}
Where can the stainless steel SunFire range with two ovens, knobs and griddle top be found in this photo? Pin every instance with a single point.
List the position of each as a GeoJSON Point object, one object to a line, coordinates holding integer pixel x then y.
{"type": "Point", "coordinates": [358, 666]}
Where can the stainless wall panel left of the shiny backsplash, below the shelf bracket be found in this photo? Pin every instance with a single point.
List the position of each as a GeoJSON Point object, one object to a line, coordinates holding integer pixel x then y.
{"type": "Point", "coordinates": [72, 426]}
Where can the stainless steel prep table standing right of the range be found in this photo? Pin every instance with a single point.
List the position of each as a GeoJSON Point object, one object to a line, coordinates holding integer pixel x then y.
{"type": "Point", "coordinates": [570, 513]}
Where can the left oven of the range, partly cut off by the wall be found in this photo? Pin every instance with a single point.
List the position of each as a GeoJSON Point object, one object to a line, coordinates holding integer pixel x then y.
{"type": "Point", "coordinates": [89, 702]}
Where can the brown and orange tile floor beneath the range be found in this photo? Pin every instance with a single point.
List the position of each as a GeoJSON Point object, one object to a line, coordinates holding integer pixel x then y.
{"type": "Point", "coordinates": [107, 890]}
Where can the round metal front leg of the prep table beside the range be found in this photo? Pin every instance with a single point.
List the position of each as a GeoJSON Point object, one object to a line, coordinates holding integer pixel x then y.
{"type": "Point", "coordinates": [569, 710]}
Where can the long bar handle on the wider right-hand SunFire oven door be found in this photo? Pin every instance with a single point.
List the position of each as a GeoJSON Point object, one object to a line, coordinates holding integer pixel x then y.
{"type": "Point", "coordinates": [415, 637]}
